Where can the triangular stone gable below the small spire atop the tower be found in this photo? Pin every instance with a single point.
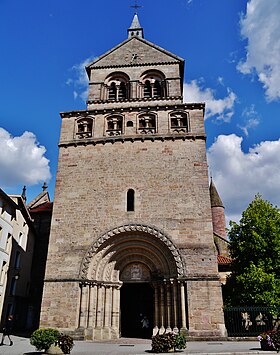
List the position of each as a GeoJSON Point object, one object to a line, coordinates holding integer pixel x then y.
{"type": "Point", "coordinates": [121, 55]}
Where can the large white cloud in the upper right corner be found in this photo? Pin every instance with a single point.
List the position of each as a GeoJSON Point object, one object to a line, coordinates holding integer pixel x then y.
{"type": "Point", "coordinates": [261, 27]}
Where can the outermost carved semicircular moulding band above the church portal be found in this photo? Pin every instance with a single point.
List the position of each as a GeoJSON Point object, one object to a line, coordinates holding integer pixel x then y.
{"type": "Point", "coordinates": [132, 228]}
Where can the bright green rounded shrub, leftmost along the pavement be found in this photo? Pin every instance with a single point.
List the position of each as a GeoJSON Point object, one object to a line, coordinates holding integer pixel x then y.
{"type": "Point", "coordinates": [43, 338]}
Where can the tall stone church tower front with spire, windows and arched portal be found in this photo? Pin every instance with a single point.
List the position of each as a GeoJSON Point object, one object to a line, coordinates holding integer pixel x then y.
{"type": "Point", "coordinates": [131, 235]}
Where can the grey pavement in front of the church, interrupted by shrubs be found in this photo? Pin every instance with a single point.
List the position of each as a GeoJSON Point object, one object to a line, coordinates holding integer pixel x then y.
{"type": "Point", "coordinates": [140, 346]}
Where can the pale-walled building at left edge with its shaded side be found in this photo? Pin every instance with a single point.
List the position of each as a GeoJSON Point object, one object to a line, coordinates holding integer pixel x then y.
{"type": "Point", "coordinates": [17, 238]}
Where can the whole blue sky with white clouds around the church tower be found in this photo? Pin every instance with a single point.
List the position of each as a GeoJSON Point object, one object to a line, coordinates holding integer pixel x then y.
{"type": "Point", "coordinates": [232, 54]}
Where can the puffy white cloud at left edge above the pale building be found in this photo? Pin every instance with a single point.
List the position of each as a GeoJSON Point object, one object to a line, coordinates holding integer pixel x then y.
{"type": "Point", "coordinates": [22, 160]}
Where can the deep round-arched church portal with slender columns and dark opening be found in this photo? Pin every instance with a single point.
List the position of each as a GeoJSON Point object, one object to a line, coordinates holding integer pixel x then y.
{"type": "Point", "coordinates": [131, 272]}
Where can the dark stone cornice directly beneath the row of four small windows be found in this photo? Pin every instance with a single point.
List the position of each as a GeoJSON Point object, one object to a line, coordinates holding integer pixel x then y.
{"type": "Point", "coordinates": [134, 138]}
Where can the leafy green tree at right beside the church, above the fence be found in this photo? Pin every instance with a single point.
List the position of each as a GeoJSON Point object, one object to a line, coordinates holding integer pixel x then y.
{"type": "Point", "coordinates": [255, 250]}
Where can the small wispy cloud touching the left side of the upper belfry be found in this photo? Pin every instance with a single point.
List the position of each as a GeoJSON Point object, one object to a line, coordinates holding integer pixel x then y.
{"type": "Point", "coordinates": [80, 81]}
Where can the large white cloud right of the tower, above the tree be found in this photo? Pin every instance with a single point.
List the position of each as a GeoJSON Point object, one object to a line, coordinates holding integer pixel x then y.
{"type": "Point", "coordinates": [238, 176]}
